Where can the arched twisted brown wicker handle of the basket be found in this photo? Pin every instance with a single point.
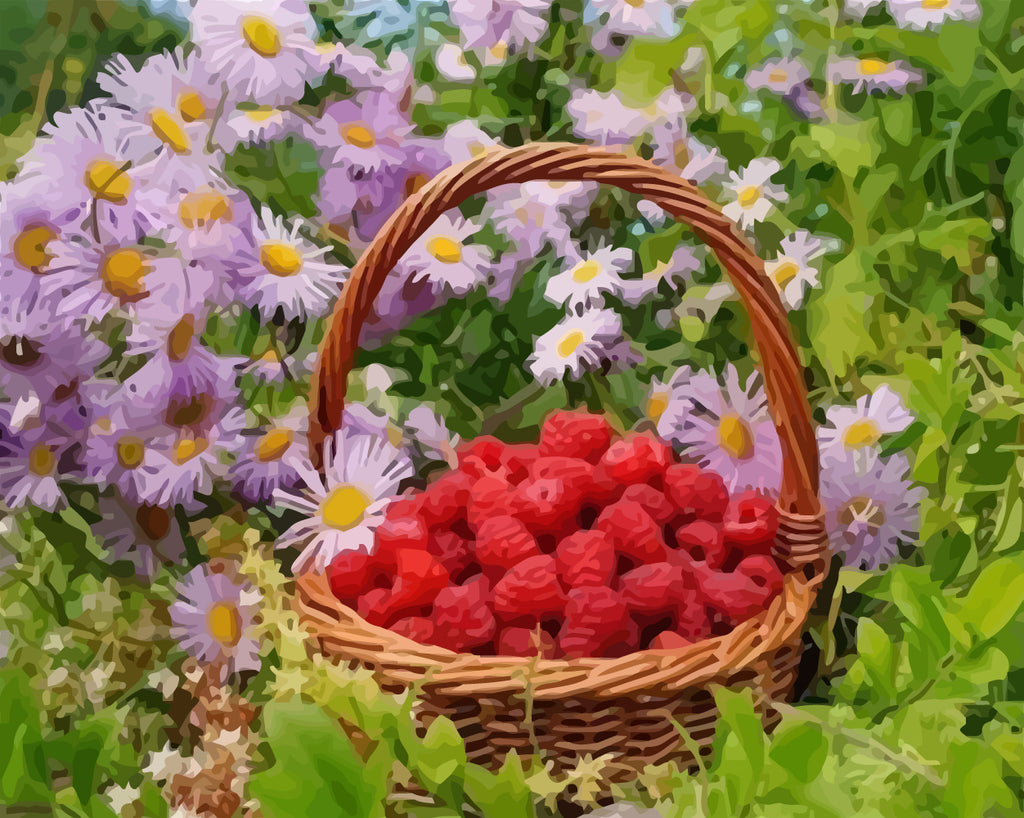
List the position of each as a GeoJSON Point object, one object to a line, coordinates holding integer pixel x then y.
{"type": "Point", "coordinates": [566, 162]}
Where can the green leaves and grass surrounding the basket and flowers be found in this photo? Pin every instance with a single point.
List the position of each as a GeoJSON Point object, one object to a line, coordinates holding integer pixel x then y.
{"type": "Point", "coordinates": [918, 702]}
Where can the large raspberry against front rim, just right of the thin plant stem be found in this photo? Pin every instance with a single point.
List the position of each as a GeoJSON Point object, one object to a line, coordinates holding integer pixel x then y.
{"type": "Point", "coordinates": [598, 624]}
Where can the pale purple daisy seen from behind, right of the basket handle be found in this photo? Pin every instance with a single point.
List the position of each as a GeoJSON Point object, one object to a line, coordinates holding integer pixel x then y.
{"type": "Point", "coordinates": [869, 513]}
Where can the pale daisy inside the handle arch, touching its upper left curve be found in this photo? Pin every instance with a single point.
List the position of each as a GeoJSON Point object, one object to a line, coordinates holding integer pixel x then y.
{"type": "Point", "coordinates": [442, 257]}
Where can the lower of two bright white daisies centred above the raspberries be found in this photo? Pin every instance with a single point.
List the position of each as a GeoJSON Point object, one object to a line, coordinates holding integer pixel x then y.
{"type": "Point", "coordinates": [576, 345]}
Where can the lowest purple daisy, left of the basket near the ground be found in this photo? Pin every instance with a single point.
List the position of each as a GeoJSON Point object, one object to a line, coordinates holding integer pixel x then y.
{"type": "Point", "coordinates": [216, 620]}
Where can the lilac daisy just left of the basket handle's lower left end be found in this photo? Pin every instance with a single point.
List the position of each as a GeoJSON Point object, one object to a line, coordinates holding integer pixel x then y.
{"type": "Point", "coordinates": [272, 458]}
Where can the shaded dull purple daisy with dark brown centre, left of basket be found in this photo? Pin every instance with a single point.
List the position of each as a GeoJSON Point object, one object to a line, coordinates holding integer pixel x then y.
{"type": "Point", "coordinates": [148, 536]}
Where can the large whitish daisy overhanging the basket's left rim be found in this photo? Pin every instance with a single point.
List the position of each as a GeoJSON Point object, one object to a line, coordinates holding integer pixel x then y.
{"type": "Point", "coordinates": [362, 475]}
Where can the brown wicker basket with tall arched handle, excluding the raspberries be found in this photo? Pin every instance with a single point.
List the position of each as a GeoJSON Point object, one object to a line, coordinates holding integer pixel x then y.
{"type": "Point", "coordinates": [627, 708]}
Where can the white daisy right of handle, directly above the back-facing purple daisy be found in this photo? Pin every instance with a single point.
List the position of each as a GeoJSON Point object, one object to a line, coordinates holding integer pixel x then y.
{"type": "Point", "coordinates": [858, 430]}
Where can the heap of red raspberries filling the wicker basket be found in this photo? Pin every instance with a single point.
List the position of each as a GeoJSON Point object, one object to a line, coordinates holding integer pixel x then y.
{"type": "Point", "coordinates": [583, 545]}
